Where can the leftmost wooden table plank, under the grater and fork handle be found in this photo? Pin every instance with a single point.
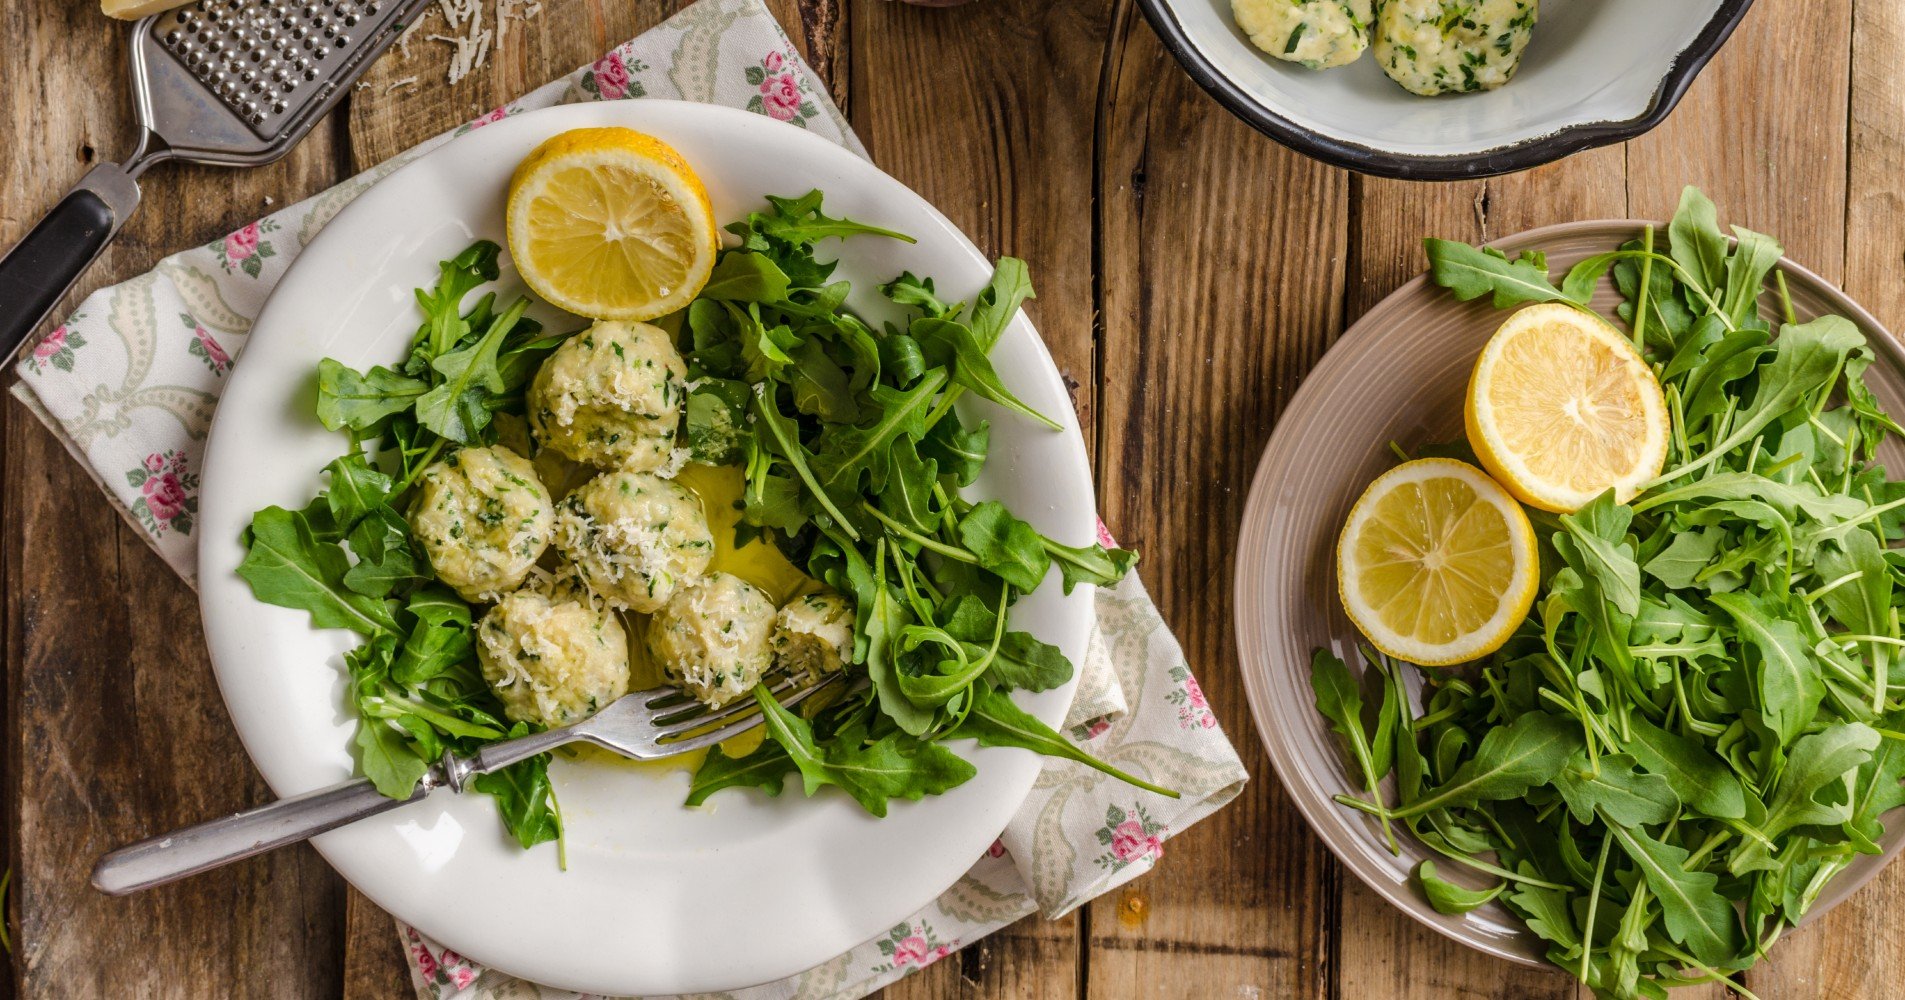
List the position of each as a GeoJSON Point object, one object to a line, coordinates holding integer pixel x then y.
{"type": "Point", "coordinates": [115, 723]}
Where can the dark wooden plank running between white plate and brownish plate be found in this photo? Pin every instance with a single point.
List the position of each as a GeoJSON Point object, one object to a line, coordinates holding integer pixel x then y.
{"type": "Point", "coordinates": [1222, 285]}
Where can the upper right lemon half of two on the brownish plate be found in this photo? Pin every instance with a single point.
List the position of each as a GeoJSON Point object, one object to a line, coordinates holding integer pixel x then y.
{"type": "Point", "coordinates": [1561, 409]}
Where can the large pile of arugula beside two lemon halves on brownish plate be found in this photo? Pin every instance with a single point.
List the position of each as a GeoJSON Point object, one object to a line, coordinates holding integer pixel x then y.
{"type": "Point", "coordinates": [1702, 721]}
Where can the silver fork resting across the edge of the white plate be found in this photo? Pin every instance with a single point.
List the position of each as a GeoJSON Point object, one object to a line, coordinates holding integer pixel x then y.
{"type": "Point", "coordinates": [641, 725]}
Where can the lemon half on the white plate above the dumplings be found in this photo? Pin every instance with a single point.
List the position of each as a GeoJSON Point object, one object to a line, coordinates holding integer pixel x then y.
{"type": "Point", "coordinates": [611, 224]}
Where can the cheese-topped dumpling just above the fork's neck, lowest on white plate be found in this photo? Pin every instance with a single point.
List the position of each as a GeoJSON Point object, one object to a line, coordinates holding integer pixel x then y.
{"type": "Point", "coordinates": [553, 662]}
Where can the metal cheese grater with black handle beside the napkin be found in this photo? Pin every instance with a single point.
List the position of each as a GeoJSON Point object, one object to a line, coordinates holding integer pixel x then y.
{"type": "Point", "coordinates": [216, 83]}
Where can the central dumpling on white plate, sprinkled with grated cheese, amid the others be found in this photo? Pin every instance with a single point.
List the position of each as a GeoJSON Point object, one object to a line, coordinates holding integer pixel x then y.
{"type": "Point", "coordinates": [635, 538]}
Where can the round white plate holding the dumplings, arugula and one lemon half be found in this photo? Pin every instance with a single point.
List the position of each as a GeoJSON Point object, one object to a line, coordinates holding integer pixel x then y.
{"type": "Point", "coordinates": [658, 898]}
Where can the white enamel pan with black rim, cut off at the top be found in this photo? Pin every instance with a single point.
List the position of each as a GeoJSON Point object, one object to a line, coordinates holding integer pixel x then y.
{"type": "Point", "coordinates": [1595, 73]}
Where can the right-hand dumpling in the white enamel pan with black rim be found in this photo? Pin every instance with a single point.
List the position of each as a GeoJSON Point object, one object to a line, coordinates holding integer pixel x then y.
{"type": "Point", "coordinates": [1453, 47]}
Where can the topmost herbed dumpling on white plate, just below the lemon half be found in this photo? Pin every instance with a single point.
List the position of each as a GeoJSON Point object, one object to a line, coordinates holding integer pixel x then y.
{"type": "Point", "coordinates": [611, 397]}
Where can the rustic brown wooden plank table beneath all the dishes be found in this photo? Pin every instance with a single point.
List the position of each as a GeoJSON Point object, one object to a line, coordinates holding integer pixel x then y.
{"type": "Point", "coordinates": [1190, 273]}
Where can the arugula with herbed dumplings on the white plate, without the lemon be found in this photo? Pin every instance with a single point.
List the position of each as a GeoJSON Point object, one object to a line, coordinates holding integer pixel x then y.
{"type": "Point", "coordinates": [511, 534]}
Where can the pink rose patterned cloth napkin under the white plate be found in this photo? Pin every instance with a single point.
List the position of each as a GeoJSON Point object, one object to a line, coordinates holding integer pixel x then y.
{"type": "Point", "coordinates": [130, 380]}
